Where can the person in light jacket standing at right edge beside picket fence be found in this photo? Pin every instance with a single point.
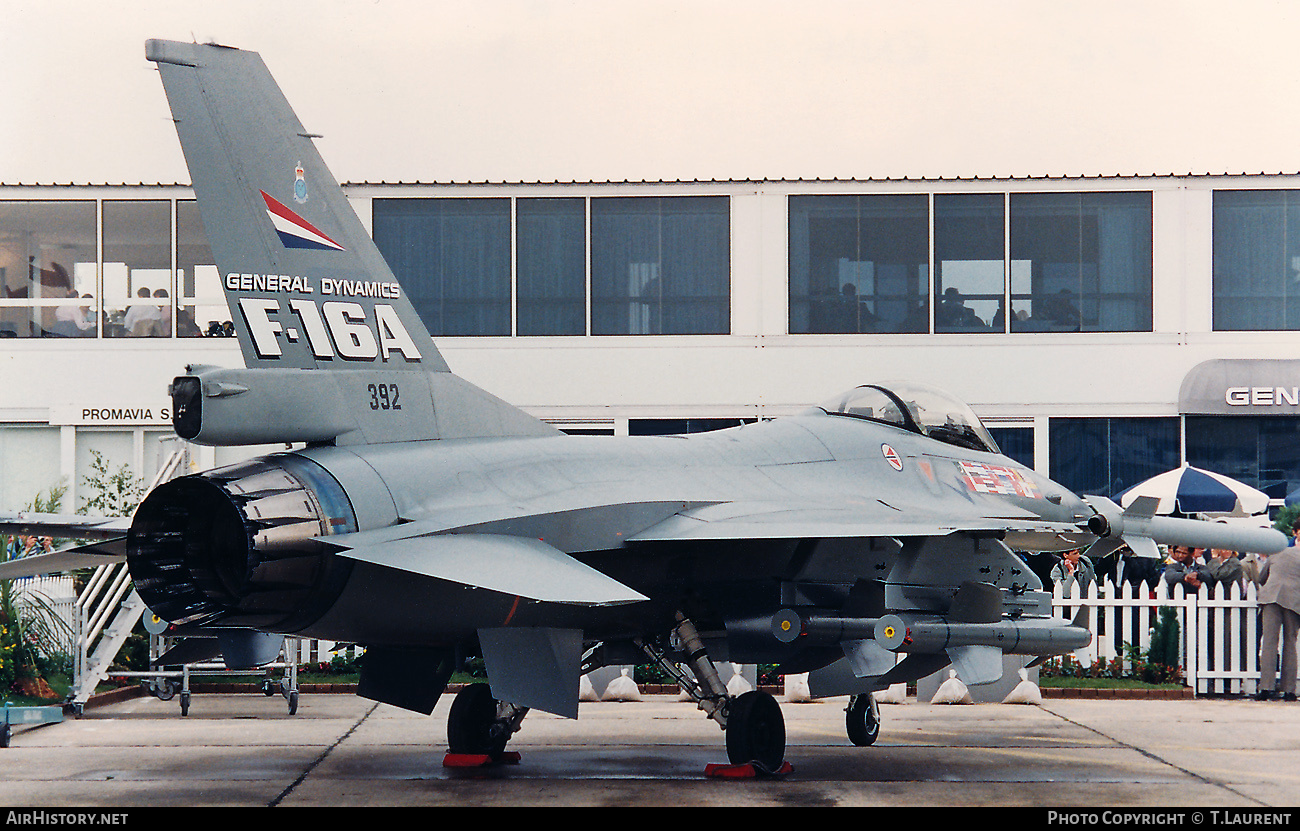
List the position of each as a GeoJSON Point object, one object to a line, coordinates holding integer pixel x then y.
{"type": "Point", "coordinates": [1280, 612]}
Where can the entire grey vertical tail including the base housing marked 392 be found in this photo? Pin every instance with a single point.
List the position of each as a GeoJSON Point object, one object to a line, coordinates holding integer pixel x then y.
{"type": "Point", "coordinates": [306, 285]}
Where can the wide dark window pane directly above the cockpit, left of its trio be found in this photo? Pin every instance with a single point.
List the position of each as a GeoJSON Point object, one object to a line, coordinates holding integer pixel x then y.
{"type": "Point", "coordinates": [860, 265]}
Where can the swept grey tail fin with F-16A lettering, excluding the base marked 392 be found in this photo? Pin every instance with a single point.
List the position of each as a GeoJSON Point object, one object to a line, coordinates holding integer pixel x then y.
{"type": "Point", "coordinates": [306, 285]}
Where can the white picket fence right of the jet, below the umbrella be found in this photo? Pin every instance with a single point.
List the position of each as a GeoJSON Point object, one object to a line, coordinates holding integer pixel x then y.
{"type": "Point", "coordinates": [1219, 629]}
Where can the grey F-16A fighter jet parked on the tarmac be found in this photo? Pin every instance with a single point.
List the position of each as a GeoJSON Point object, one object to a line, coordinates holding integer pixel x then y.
{"type": "Point", "coordinates": [868, 542]}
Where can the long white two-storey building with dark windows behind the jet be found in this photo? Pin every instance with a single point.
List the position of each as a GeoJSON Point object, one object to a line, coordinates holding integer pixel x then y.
{"type": "Point", "coordinates": [675, 306]}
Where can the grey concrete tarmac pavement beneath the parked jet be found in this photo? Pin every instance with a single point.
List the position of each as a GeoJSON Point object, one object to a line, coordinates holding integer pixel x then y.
{"type": "Point", "coordinates": [343, 751]}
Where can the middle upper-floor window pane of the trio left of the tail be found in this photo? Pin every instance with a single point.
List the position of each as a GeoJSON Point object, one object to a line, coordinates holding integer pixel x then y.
{"type": "Point", "coordinates": [137, 278]}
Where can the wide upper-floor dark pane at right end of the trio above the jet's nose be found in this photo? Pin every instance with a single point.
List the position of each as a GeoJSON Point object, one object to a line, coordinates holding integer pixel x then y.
{"type": "Point", "coordinates": [1081, 262]}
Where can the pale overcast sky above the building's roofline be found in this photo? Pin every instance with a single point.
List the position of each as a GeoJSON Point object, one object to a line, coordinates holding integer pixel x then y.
{"type": "Point", "coordinates": [491, 90]}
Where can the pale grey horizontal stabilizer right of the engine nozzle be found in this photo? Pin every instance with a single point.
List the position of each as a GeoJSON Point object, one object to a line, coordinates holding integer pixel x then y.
{"type": "Point", "coordinates": [501, 564]}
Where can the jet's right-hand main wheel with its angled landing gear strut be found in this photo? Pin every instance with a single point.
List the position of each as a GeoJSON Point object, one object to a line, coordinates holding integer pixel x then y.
{"type": "Point", "coordinates": [753, 722]}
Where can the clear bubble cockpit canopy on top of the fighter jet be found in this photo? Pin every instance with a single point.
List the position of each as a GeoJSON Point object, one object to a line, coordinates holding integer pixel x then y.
{"type": "Point", "coordinates": [918, 409]}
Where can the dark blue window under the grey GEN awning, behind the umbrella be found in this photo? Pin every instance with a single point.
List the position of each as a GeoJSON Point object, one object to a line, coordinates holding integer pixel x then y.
{"type": "Point", "coordinates": [1263, 452]}
